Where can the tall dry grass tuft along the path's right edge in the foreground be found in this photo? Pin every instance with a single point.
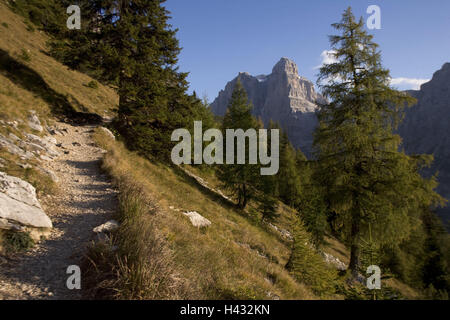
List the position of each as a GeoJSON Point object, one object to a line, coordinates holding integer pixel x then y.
{"type": "Point", "coordinates": [137, 263]}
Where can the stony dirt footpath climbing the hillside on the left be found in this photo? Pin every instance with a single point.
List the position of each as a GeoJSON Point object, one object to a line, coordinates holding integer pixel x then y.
{"type": "Point", "coordinates": [86, 200]}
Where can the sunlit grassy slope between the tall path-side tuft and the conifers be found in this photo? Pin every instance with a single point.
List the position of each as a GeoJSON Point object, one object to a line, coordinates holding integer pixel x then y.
{"type": "Point", "coordinates": [234, 258]}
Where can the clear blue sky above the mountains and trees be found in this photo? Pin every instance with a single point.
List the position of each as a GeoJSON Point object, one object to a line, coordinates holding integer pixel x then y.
{"type": "Point", "coordinates": [220, 38]}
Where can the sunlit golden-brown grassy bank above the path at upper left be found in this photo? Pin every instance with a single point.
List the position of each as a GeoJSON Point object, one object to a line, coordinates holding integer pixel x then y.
{"type": "Point", "coordinates": [20, 94]}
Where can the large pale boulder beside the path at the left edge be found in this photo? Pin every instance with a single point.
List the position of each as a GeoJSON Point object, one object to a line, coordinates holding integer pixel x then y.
{"type": "Point", "coordinates": [19, 206]}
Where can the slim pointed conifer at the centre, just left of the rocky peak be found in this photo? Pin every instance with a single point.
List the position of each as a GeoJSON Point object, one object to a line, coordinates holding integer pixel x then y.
{"type": "Point", "coordinates": [240, 179]}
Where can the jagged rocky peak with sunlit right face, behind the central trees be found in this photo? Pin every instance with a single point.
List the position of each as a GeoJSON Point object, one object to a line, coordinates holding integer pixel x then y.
{"type": "Point", "coordinates": [283, 96]}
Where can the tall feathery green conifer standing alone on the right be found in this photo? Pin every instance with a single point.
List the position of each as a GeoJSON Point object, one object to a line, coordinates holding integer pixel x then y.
{"type": "Point", "coordinates": [368, 180]}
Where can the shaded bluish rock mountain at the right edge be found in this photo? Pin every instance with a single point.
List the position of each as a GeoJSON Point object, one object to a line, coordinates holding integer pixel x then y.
{"type": "Point", "coordinates": [426, 128]}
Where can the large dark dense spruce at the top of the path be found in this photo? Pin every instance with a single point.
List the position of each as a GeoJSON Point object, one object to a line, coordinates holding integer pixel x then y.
{"type": "Point", "coordinates": [130, 44]}
